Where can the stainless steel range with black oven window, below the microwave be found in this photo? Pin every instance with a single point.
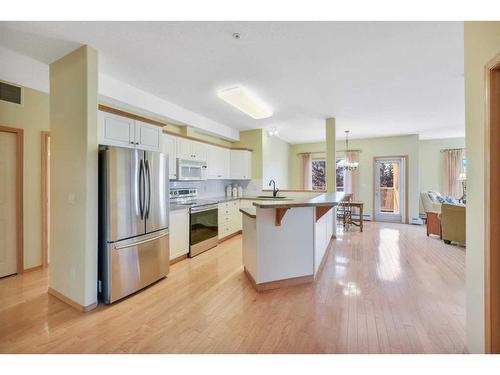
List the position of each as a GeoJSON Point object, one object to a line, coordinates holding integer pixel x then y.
{"type": "Point", "coordinates": [203, 219]}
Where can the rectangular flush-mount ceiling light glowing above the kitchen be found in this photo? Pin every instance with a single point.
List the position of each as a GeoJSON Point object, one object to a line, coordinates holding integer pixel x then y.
{"type": "Point", "coordinates": [240, 98]}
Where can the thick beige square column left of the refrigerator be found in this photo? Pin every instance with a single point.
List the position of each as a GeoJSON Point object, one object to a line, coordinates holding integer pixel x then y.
{"type": "Point", "coordinates": [73, 185]}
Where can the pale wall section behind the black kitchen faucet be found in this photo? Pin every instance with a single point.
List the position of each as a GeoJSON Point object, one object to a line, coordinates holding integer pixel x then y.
{"type": "Point", "coordinates": [274, 161]}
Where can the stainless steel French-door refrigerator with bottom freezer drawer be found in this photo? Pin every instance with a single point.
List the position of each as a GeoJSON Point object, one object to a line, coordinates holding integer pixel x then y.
{"type": "Point", "coordinates": [133, 220]}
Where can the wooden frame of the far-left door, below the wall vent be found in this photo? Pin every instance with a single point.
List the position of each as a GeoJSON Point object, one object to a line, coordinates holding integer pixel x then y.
{"type": "Point", "coordinates": [19, 193]}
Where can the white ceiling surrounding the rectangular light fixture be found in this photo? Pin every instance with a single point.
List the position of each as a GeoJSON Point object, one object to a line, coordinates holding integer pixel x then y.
{"type": "Point", "coordinates": [376, 78]}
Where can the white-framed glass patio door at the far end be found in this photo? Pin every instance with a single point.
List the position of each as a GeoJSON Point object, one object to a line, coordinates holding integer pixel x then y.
{"type": "Point", "coordinates": [390, 187]}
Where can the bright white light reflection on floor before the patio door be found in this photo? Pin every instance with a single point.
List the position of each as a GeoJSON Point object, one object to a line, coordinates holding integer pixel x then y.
{"type": "Point", "coordinates": [389, 264]}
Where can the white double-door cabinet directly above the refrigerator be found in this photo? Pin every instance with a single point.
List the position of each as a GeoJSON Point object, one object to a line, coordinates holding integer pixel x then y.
{"type": "Point", "coordinates": [124, 132]}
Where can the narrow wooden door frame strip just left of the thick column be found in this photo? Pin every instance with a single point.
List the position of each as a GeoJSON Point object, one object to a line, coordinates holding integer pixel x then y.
{"type": "Point", "coordinates": [45, 198]}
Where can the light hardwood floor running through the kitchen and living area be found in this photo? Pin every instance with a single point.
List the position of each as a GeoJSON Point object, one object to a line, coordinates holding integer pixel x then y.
{"type": "Point", "coordinates": [390, 289]}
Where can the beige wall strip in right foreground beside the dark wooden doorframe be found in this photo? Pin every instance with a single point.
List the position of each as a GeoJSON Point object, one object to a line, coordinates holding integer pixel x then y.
{"type": "Point", "coordinates": [481, 44]}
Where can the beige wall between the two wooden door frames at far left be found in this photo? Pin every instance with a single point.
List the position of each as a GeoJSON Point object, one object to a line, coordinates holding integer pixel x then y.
{"type": "Point", "coordinates": [33, 117]}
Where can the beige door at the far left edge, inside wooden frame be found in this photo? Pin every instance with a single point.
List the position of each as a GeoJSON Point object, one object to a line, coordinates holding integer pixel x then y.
{"type": "Point", "coordinates": [8, 199]}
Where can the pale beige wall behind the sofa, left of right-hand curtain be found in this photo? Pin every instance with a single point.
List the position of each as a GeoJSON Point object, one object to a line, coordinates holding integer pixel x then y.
{"type": "Point", "coordinates": [431, 162]}
